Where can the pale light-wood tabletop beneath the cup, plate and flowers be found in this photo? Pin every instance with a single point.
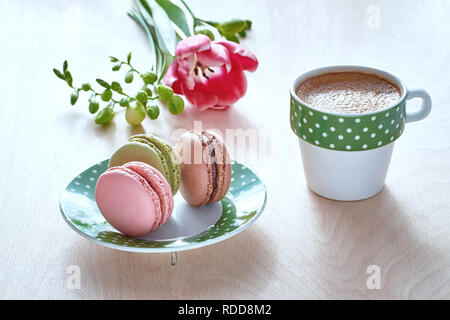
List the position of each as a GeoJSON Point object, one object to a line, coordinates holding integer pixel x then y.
{"type": "Point", "coordinates": [303, 246]}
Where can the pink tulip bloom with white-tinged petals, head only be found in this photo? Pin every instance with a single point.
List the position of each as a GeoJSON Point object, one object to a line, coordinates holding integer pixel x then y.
{"type": "Point", "coordinates": [210, 74]}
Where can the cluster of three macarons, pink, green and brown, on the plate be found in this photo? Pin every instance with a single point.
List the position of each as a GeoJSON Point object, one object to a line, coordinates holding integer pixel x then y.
{"type": "Point", "coordinates": [135, 195]}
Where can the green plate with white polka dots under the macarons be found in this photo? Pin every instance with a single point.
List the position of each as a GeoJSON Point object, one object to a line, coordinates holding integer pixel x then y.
{"type": "Point", "coordinates": [188, 228]}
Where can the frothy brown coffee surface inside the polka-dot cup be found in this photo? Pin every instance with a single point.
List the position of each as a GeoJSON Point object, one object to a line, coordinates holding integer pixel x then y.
{"type": "Point", "coordinates": [348, 92]}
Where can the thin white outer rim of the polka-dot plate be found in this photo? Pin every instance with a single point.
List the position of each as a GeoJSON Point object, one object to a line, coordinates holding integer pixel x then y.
{"type": "Point", "coordinates": [191, 246]}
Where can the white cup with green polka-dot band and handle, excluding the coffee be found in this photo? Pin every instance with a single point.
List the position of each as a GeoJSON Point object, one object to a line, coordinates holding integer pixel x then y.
{"type": "Point", "coordinates": [346, 156]}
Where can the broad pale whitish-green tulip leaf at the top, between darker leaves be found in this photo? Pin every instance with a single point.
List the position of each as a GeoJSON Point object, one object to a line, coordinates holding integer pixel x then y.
{"type": "Point", "coordinates": [166, 37]}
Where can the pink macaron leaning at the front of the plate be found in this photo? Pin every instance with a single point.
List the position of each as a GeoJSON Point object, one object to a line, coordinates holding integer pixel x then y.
{"type": "Point", "coordinates": [134, 198]}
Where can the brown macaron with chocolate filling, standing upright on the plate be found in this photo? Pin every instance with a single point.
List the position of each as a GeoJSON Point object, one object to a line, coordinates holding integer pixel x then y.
{"type": "Point", "coordinates": [205, 167]}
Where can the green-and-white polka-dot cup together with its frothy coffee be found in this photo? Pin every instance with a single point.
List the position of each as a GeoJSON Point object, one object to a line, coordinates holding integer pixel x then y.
{"type": "Point", "coordinates": [347, 119]}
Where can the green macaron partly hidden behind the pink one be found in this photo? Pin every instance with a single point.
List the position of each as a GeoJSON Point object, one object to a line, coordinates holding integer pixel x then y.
{"type": "Point", "coordinates": [153, 151]}
